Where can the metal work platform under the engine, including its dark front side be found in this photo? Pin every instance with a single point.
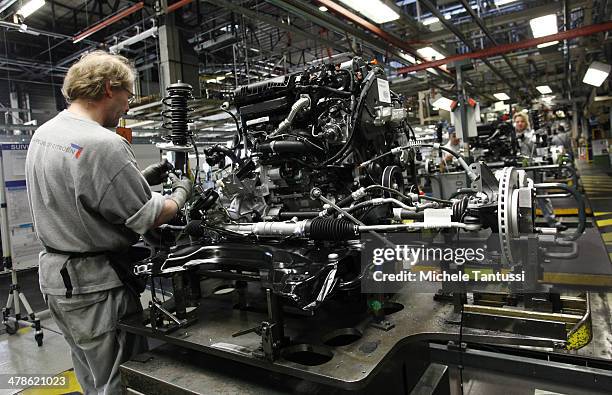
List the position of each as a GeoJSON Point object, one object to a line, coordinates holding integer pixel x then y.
{"type": "Point", "coordinates": [205, 356]}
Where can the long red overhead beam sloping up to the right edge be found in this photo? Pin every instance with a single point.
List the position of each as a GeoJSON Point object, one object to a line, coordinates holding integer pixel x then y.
{"type": "Point", "coordinates": [505, 48]}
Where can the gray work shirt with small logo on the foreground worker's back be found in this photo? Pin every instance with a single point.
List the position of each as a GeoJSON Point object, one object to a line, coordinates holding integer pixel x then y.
{"type": "Point", "coordinates": [86, 195]}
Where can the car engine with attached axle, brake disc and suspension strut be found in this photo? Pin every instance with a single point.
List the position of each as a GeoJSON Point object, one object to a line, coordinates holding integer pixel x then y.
{"type": "Point", "coordinates": [322, 158]}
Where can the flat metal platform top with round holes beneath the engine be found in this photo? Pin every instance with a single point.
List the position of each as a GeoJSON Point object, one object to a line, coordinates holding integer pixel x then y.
{"type": "Point", "coordinates": [315, 356]}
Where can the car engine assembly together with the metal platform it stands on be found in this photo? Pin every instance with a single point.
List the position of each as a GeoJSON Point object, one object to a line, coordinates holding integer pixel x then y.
{"type": "Point", "coordinates": [266, 267]}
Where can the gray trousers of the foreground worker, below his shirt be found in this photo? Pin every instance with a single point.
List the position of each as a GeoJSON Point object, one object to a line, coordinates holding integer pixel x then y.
{"type": "Point", "coordinates": [89, 324]}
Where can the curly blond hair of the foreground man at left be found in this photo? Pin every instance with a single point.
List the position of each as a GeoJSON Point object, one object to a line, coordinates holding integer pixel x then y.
{"type": "Point", "coordinates": [86, 79]}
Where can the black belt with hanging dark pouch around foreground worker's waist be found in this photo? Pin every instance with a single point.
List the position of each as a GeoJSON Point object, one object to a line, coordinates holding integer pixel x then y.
{"type": "Point", "coordinates": [121, 261]}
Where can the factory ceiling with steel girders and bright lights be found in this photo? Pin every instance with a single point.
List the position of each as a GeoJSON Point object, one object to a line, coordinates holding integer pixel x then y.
{"type": "Point", "coordinates": [238, 41]}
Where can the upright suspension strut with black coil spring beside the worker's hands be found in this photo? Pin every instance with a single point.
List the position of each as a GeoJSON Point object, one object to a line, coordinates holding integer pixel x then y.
{"type": "Point", "coordinates": [176, 118]}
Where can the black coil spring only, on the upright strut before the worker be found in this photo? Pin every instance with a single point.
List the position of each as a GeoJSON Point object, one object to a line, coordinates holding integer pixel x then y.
{"type": "Point", "coordinates": [176, 116]}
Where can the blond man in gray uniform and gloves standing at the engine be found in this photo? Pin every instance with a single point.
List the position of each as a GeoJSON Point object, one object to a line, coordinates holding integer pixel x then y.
{"type": "Point", "coordinates": [88, 200]}
